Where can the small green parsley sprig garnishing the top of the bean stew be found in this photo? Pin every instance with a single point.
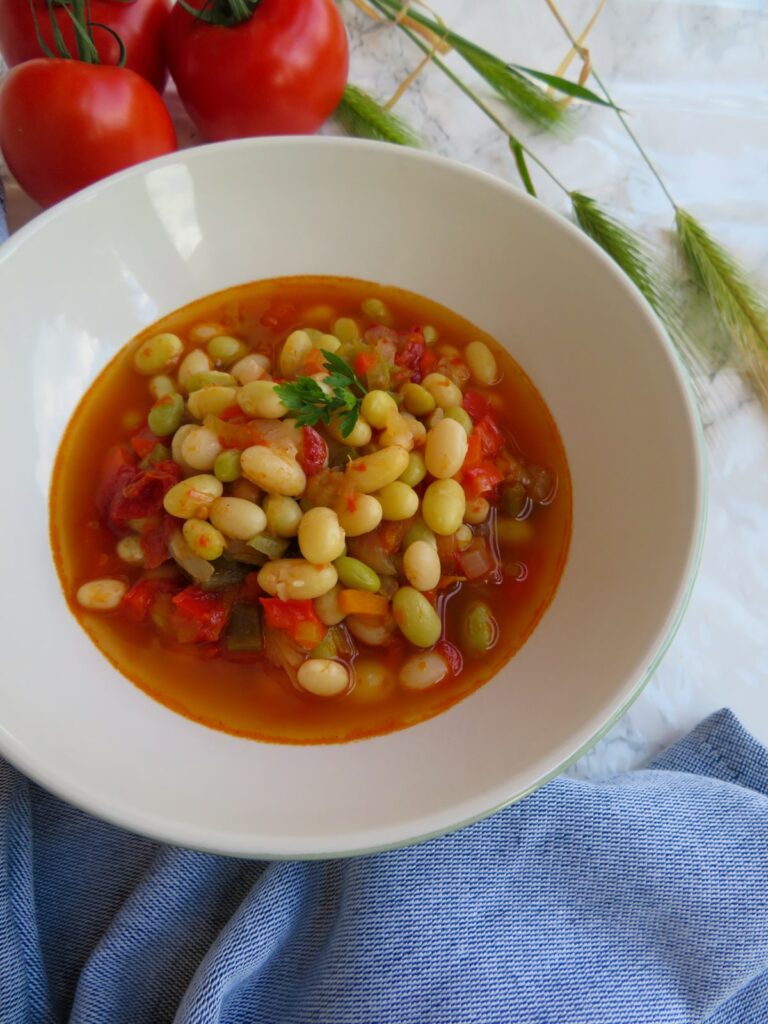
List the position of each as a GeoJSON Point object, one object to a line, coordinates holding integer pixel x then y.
{"type": "Point", "coordinates": [306, 398]}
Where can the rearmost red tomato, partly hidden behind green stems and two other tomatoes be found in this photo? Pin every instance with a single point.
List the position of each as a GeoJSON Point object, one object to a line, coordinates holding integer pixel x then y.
{"type": "Point", "coordinates": [140, 24]}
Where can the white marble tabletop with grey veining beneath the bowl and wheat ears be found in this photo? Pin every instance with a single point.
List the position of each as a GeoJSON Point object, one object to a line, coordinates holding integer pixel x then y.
{"type": "Point", "coordinates": [695, 76]}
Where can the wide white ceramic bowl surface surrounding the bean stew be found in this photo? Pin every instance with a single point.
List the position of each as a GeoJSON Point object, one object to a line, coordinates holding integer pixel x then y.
{"type": "Point", "coordinates": [80, 281]}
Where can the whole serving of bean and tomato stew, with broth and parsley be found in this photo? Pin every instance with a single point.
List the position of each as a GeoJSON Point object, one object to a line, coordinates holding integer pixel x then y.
{"type": "Point", "coordinates": [351, 506]}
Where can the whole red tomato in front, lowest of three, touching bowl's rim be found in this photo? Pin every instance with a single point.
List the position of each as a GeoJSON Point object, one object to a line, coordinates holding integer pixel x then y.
{"type": "Point", "coordinates": [65, 124]}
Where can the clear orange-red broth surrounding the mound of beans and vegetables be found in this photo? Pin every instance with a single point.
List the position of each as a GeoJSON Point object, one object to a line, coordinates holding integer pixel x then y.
{"type": "Point", "coordinates": [246, 695]}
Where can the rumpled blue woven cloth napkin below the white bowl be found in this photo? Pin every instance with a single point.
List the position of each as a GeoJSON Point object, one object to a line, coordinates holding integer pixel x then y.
{"type": "Point", "coordinates": [641, 900]}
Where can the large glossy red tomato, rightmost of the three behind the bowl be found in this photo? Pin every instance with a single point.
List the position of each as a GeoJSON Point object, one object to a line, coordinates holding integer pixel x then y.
{"type": "Point", "coordinates": [282, 72]}
